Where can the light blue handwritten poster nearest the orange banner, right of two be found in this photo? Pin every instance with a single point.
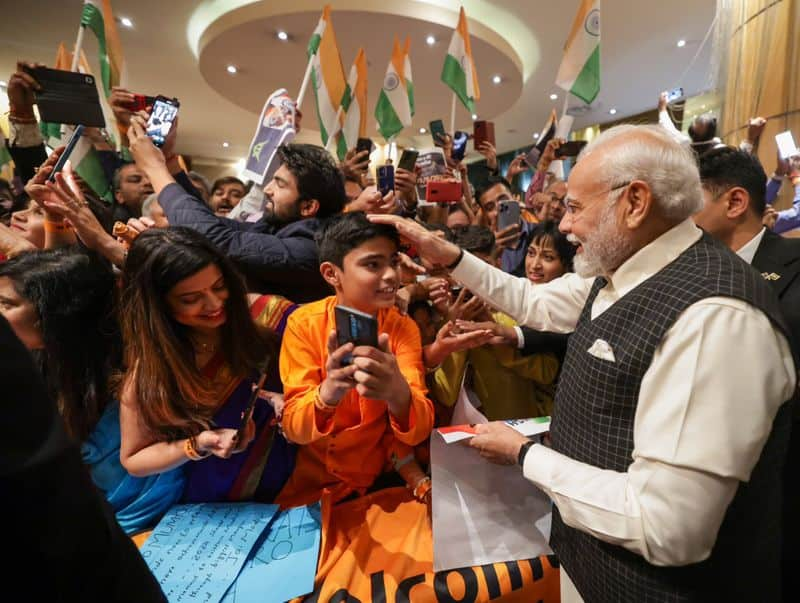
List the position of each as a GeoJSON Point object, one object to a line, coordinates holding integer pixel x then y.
{"type": "Point", "coordinates": [284, 565]}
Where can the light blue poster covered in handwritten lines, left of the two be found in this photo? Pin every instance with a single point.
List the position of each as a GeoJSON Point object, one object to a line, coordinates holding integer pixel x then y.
{"type": "Point", "coordinates": [196, 551]}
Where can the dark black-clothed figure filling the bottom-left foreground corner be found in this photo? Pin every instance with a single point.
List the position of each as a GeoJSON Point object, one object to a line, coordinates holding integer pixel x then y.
{"type": "Point", "coordinates": [63, 542]}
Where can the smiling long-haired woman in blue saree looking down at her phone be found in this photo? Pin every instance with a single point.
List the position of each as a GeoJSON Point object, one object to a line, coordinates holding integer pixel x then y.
{"type": "Point", "coordinates": [193, 354]}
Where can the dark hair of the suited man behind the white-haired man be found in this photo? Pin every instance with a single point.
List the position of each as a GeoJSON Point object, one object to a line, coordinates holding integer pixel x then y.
{"type": "Point", "coordinates": [726, 167]}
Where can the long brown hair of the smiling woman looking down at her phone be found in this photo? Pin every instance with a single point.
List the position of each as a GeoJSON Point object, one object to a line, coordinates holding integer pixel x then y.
{"type": "Point", "coordinates": [174, 398]}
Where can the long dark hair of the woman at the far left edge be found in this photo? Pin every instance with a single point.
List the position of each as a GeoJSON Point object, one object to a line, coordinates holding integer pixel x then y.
{"type": "Point", "coordinates": [73, 294]}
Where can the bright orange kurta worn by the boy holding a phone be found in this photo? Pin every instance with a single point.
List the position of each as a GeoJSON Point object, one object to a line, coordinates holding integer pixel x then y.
{"type": "Point", "coordinates": [344, 451]}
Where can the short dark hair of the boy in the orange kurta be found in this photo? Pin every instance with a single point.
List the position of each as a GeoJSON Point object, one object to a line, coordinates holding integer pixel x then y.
{"type": "Point", "coordinates": [341, 234]}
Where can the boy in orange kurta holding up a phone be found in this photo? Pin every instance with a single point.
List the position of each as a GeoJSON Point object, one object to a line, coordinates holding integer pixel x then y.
{"type": "Point", "coordinates": [350, 419]}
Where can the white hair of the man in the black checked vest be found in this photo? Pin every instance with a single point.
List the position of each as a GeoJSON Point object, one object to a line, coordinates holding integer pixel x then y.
{"type": "Point", "coordinates": [649, 153]}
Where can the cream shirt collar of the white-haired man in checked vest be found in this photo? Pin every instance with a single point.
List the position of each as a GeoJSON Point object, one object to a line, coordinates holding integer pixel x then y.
{"type": "Point", "coordinates": [654, 256]}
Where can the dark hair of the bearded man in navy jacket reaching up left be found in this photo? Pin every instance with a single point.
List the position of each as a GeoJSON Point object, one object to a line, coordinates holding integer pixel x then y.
{"type": "Point", "coordinates": [317, 176]}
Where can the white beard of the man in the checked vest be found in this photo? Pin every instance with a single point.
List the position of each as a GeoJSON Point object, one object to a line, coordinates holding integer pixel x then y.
{"type": "Point", "coordinates": [604, 249]}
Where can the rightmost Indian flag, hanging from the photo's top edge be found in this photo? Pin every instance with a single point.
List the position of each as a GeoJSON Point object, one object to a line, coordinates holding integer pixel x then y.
{"type": "Point", "coordinates": [580, 68]}
